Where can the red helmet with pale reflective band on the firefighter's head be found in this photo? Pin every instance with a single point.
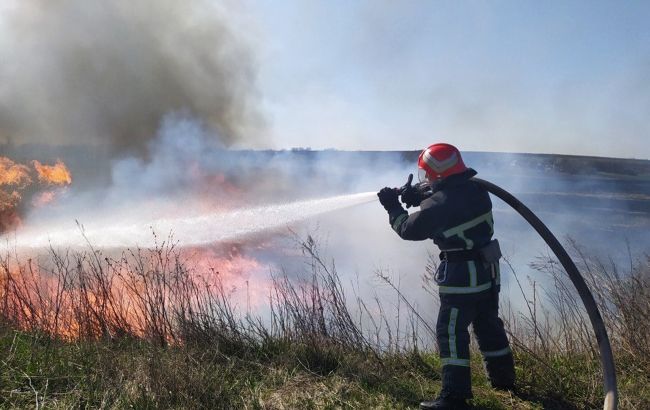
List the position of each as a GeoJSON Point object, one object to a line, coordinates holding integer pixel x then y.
{"type": "Point", "coordinates": [438, 161]}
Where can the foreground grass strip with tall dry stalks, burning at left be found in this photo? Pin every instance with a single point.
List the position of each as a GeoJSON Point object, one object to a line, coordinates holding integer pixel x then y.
{"type": "Point", "coordinates": [144, 329]}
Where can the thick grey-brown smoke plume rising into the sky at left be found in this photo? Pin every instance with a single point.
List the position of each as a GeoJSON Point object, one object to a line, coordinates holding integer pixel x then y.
{"type": "Point", "coordinates": [107, 72]}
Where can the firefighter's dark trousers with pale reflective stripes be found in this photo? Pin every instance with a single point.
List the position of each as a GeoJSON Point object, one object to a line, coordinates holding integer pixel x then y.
{"type": "Point", "coordinates": [480, 310]}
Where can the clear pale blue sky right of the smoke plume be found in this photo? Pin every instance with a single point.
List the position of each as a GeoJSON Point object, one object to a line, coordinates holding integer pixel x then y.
{"type": "Point", "coordinates": [555, 76]}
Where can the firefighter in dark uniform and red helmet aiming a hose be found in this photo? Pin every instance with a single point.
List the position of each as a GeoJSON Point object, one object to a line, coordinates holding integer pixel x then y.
{"type": "Point", "coordinates": [457, 214]}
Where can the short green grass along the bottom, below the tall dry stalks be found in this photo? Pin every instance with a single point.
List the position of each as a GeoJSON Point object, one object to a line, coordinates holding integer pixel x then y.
{"type": "Point", "coordinates": [39, 372]}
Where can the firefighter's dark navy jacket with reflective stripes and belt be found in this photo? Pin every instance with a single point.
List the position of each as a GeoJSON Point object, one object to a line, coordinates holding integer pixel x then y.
{"type": "Point", "coordinates": [458, 216]}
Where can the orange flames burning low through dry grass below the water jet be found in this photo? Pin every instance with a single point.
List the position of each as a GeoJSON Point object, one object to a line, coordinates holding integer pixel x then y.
{"type": "Point", "coordinates": [116, 299]}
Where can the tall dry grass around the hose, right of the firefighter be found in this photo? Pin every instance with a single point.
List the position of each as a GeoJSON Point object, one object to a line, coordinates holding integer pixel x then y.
{"type": "Point", "coordinates": [555, 342]}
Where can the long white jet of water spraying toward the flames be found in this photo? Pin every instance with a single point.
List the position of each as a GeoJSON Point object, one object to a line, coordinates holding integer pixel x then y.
{"type": "Point", "coordinates": [188, 231]}
